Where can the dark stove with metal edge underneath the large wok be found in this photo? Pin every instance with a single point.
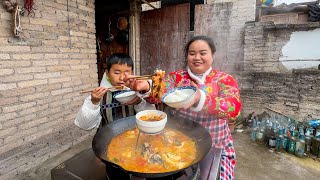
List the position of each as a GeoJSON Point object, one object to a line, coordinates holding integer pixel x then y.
{"type": "Point", "coordinates": [86, 166]}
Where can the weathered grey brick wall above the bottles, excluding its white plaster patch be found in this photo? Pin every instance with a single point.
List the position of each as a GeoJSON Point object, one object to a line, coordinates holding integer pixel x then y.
{"type": "Point", "coordinates": [266, 83]}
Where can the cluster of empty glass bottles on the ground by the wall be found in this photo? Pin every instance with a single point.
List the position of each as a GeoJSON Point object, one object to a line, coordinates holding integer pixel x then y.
{"type": "Point", "coordinates": [300, 139]}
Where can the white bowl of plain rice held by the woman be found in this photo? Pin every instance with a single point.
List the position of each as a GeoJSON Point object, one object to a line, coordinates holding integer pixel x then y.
{"type": "Point", "coordinates": [179, 97]}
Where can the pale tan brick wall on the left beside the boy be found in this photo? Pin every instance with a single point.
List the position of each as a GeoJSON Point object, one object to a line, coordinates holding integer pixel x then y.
{"type": "Point", "coordinates": [40, 79]}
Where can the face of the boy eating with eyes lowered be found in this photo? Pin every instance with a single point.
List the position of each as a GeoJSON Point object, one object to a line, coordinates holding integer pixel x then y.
{"type": "Point", "coordinates": [117, 73]}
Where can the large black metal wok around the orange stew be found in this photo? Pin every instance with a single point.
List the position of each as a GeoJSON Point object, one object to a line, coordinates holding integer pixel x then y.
{"type": "Point", "coordinates": [194, 130]}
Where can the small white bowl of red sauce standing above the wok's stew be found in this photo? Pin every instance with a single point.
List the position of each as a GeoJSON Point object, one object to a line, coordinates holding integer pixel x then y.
{"type": "Point", "coordinates": [151, 127]}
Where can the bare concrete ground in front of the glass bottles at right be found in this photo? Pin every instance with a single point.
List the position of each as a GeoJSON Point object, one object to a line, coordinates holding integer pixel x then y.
{"type": "Point", "coordinates": [255, 161]}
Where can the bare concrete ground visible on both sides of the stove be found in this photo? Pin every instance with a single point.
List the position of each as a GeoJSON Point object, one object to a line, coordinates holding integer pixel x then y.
{"type": "Point", "coordinates": [254, 161]}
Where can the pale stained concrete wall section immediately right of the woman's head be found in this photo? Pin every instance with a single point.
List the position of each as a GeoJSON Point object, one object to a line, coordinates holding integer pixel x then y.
{"type": "Point", "coordinates": [224, 21]}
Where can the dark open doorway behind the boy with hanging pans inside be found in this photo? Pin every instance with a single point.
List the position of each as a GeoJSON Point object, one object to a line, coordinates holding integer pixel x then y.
{"type": "Point", "coordinates": [112, 30]}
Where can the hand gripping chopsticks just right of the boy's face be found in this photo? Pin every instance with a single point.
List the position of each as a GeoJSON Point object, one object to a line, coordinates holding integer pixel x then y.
{"type": "Point", "coordinates": [136, 85]}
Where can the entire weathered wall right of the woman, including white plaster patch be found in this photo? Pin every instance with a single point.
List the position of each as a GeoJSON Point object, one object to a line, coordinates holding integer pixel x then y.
{"type": "Point", "coordinates": [262, 58]}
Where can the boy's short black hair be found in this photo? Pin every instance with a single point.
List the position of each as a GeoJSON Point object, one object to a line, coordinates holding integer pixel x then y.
{"type": "Point", "coordinates": [119, 58]}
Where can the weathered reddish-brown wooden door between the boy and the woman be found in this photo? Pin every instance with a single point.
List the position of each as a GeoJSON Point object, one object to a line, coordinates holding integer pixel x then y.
{"type": "Point", "coordinates": [163, 35]}
